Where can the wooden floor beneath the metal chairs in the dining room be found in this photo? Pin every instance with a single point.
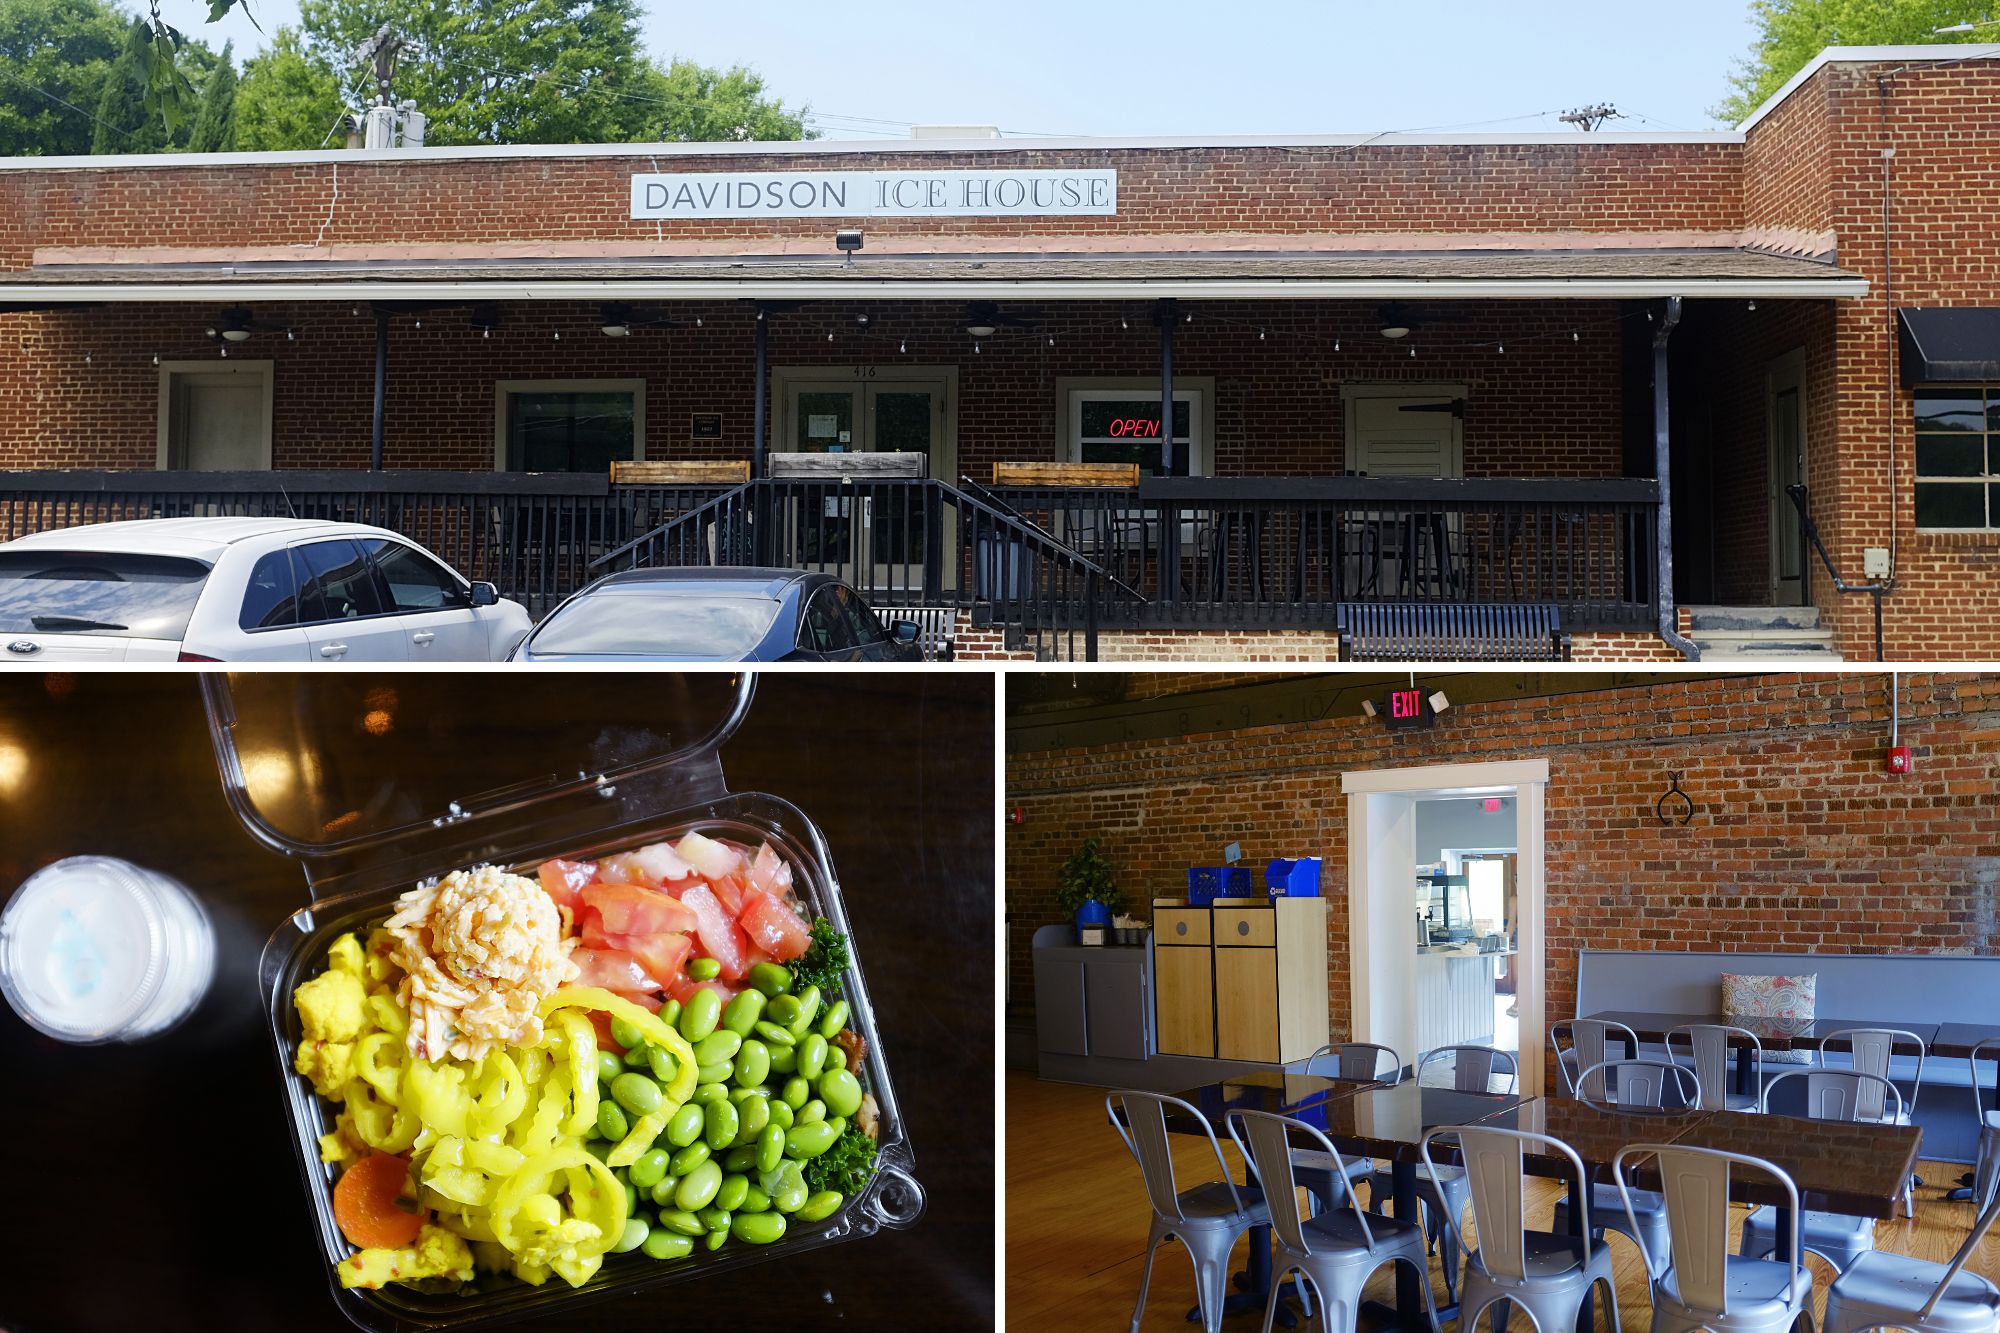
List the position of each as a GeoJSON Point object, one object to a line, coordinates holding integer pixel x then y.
{"type": "Point", "coordinates": [1077, 1226]}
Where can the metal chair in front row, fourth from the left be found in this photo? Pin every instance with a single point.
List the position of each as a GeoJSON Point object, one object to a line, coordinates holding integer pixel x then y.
{"type": "Point", "coordinates": [1703, 1288]}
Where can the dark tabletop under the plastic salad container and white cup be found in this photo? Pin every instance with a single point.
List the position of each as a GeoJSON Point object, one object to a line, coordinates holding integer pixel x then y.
{"type": "Point", "coordinates": [155, 1188]}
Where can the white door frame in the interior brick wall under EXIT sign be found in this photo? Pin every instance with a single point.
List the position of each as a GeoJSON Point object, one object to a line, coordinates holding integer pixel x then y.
{"type": "Point", "coordinates": [1381, 850]}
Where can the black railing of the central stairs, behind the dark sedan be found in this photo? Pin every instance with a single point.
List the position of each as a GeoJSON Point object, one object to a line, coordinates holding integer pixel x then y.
{"type": "Point", "coordinates": [903, 543]}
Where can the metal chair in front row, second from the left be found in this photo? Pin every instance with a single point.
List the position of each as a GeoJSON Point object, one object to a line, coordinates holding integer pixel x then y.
{"type": "Point", "coordinates": [1339, 1250]}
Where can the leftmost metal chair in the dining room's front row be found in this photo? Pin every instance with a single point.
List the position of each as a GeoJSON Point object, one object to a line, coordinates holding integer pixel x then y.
{"type": "Point", "coordinates": [1207, 1218]}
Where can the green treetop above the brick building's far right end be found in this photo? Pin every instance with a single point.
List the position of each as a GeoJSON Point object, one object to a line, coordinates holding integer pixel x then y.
{"type": "Point", "coordinates": [1791, 33]}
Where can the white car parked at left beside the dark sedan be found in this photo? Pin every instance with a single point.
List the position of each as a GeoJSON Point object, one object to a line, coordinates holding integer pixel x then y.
{"type": "Point", "coordinates": [243, 591]}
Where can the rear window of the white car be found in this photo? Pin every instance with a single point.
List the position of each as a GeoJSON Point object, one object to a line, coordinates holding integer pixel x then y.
{"type": "Point", "coordinates": [99, 593]}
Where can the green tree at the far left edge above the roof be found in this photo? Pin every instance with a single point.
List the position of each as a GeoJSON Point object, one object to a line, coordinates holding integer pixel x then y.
{"type": "Point", "coordinates": [53, 63]}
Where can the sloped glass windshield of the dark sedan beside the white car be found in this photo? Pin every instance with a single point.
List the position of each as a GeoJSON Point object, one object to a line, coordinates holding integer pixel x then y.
{"type": "Point", "coordinates": [659, 623]}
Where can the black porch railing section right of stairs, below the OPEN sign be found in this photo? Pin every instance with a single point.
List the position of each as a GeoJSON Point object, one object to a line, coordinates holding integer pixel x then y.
{"type": "Point", "coordinates": [1287, 551]}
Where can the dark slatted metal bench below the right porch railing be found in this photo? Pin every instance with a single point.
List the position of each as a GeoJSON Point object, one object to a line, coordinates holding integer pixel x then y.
{"type": "Point", "coordinates": [1451, 633]}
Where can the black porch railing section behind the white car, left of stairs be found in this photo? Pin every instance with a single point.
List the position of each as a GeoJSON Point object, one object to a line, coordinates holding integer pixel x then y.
{"type": "Point", "coordinates": [533, 535]}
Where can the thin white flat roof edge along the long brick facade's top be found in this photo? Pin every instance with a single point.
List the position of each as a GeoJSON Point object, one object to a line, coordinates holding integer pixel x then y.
{"type": "Point", "coordinates": [829, 147]}
